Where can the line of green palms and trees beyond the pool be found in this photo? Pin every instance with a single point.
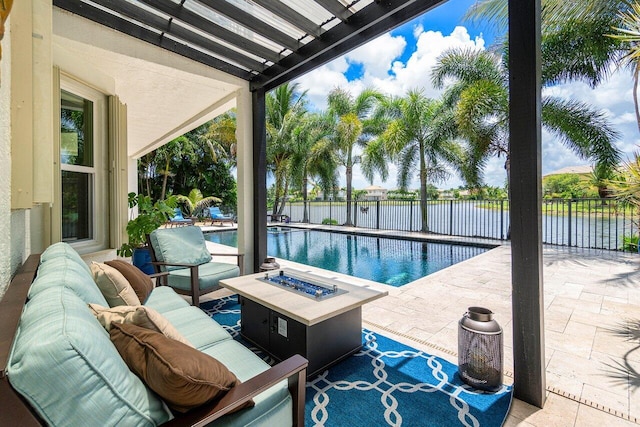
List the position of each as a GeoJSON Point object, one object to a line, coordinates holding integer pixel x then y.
{"type": "Point", "coordinates": [429, 138]}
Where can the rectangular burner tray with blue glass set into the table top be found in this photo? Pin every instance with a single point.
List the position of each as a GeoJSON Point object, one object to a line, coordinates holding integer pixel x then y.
{"type": "Point", "coordinates": [309, 286]}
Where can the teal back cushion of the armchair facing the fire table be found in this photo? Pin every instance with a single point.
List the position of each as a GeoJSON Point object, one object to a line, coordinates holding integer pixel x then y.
{"type": "Point", "coordinates": [185, 245]}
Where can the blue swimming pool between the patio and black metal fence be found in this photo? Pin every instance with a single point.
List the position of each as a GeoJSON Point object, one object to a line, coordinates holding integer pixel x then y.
{"type": "Point", "coordinates": [384, 260]}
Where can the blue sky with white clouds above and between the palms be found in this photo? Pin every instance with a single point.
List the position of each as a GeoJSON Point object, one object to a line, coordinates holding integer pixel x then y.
{"type": "Point", "coordinates": [402, 59]}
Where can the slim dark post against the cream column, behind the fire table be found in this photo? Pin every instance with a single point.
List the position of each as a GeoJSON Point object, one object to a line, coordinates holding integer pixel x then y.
{"type": "Point", "coordinates": [259, 178]}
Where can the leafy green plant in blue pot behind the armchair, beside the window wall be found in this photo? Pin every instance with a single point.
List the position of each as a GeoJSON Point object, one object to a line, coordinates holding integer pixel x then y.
{"type": "Point", "coordinates": [150, 217]}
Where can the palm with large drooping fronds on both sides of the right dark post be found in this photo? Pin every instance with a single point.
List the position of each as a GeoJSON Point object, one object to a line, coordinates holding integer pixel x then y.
{"type": "Point", "coordinates": [479, 97]}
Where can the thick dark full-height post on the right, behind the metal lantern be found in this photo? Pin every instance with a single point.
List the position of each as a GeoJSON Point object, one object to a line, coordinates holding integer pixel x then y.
{"type": "Point", "coordinates": [526, 201]}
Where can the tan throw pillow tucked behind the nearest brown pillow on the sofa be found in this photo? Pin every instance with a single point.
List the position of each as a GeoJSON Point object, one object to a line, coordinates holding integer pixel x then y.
{"type": "Point", "coordinates": [139, 315]}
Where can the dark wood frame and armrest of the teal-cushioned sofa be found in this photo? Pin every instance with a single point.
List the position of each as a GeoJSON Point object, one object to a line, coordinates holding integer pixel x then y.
{"type": "Point", "coordinates": [16, 410]}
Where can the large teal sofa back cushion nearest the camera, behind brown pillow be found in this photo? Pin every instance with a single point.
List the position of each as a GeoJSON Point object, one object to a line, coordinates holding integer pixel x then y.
{"type": "Point", "coordinates": [66, 367]}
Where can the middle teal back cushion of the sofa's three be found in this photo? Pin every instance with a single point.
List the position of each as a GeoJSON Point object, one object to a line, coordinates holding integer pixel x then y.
{"type": "Point", "coordinates": [63, 271]}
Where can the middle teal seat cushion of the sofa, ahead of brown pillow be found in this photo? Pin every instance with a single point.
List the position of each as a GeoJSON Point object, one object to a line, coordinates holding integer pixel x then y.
{"type": "Point", "coordinates": [198, 326]}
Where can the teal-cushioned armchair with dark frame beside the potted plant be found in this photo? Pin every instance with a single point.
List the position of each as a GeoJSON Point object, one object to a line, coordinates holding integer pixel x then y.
{"type": "Point", "coordinates": [183, 254]}
